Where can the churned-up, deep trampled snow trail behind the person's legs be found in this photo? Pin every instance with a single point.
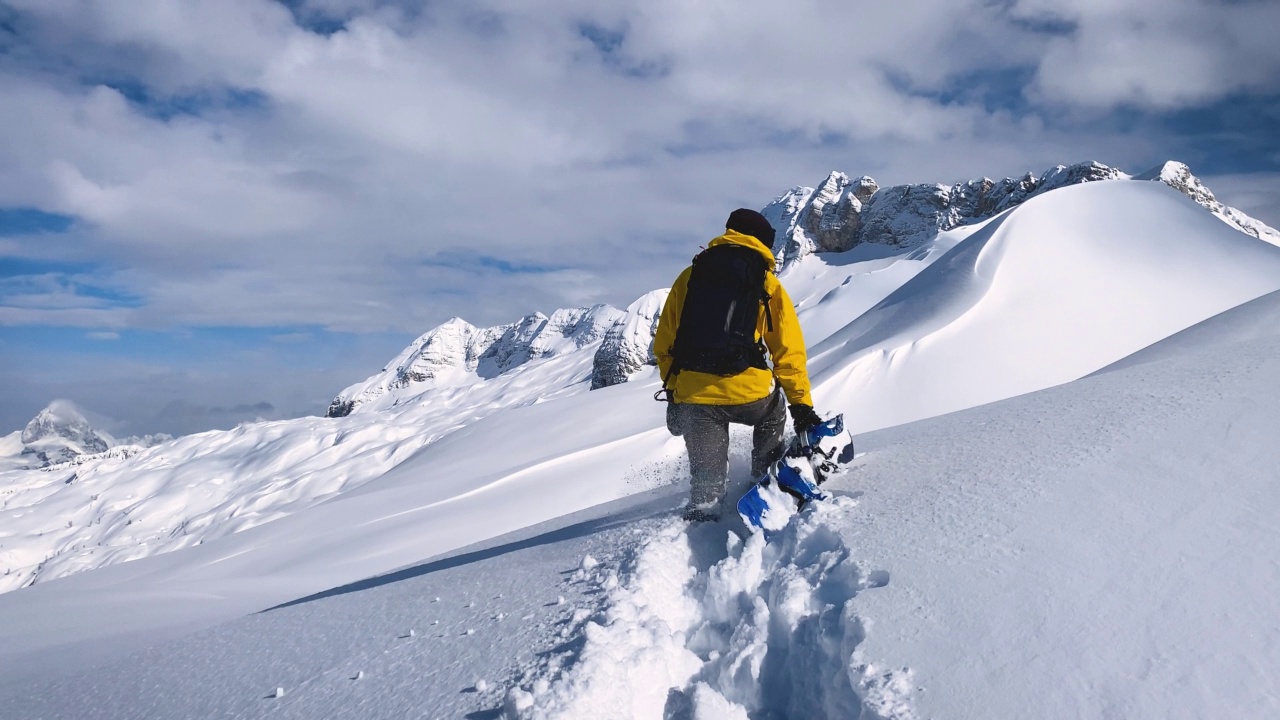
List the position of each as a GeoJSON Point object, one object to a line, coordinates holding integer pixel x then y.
{"type": "Point", "coordinates": [707, 626]}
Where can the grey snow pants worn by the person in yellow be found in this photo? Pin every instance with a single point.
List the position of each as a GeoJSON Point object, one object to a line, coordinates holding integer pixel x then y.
{"type": "Point", "coordinates": [706, 431]}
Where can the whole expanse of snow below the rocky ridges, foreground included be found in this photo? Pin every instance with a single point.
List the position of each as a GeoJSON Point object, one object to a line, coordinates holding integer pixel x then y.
{"type": "Point", "coordinates": [1089, 550]}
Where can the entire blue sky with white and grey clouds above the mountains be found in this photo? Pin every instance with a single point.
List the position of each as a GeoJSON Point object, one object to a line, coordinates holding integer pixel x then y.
{"type": "Point", "coordinates": [217, 211]}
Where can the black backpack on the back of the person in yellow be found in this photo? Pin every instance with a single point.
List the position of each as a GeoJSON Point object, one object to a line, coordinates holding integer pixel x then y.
{"type": "Point", "coordinates": [717, 322]}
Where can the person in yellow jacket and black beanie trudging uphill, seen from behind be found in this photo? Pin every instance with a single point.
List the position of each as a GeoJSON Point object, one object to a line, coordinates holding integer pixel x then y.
{"type": "Point", "coordinates": [724, 315]}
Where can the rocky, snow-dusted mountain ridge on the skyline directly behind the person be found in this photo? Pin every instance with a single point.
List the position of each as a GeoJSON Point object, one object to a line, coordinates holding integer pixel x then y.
{"type": "Point", "coordinates": [838, 216]}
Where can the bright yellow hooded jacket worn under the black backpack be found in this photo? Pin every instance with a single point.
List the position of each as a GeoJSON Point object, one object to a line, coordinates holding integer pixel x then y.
{"type": "Point", "coordinates": [785, 345]}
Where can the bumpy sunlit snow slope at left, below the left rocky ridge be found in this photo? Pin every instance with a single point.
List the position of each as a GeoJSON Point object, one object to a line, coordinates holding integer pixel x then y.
{"type": "Point", "coordinates": [198, 489]}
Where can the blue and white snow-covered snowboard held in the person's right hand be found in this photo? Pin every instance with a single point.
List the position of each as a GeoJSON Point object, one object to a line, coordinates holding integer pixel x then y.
{"type": "Point", "coordinates": [794, 481]}
